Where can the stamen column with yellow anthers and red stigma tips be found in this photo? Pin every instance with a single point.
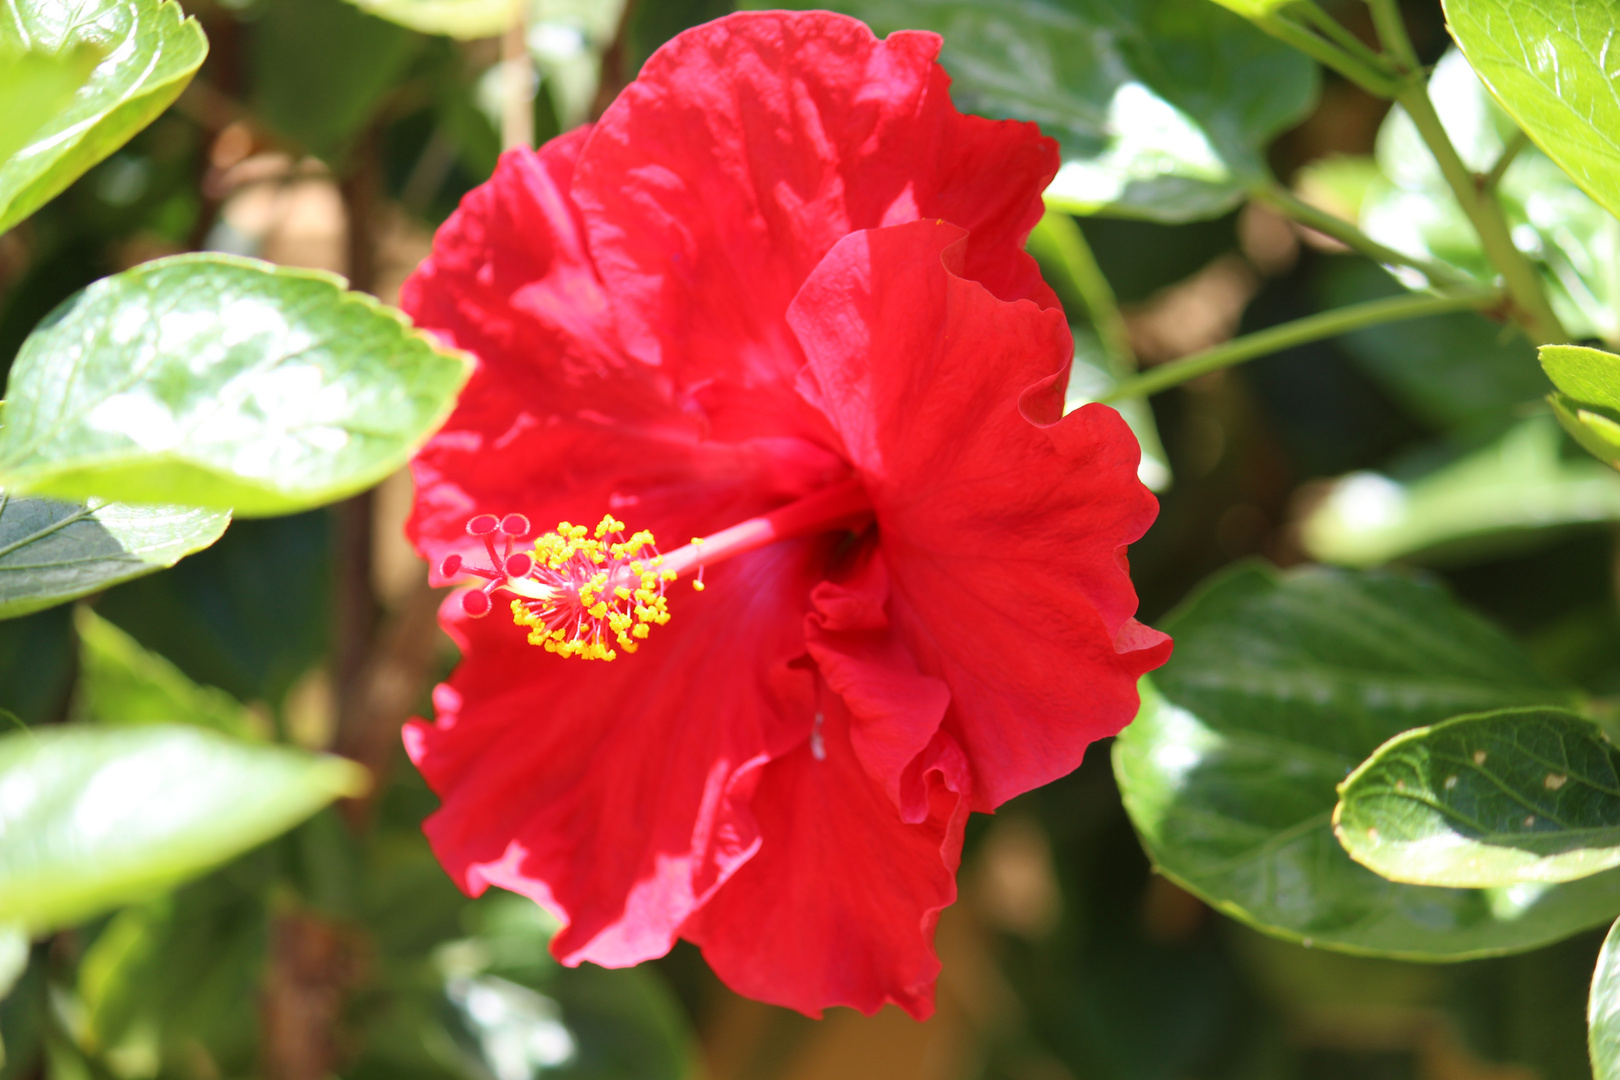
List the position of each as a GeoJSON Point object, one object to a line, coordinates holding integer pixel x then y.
{"type": "Point", "coordinates": [586, 592]}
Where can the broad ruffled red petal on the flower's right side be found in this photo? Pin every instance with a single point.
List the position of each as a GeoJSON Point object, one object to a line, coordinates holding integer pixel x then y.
{"type": "Point", "coordinates": [1005, 540]}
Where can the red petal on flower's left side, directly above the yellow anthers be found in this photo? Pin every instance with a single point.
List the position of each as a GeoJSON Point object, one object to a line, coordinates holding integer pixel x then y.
{"type": "Point", "coordinates": [556, 422]}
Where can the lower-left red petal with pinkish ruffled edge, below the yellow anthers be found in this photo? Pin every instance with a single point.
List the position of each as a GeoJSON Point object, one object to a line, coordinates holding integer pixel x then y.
{"type": "Point", "coordinates": [618, 794]}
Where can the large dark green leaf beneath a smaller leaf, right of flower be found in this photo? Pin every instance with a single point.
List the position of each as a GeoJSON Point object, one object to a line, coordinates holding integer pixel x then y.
{"type": "Point", "coordinates": [1281, 686]}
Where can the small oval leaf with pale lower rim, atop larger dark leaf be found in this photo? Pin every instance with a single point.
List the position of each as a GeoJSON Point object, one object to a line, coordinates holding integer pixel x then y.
{"type": "Point", "coordinates": [1498, 799]}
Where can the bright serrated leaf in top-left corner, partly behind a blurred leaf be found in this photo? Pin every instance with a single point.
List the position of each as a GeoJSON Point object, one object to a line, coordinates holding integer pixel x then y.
{"type": "Point", "coordinates": [151, 53]}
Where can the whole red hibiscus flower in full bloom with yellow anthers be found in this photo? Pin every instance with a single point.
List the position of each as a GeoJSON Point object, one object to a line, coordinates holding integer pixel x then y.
{"type": "Point", "coordinates": [777, 299]}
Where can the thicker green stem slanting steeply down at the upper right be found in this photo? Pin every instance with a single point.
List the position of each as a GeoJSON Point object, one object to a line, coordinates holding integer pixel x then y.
{"type": "Point", "coordinates": [1530, 304]}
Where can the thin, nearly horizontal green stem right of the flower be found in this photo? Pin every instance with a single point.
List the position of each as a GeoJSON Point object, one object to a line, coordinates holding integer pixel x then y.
{"type": "Point", "coordinates": [1297, 333]}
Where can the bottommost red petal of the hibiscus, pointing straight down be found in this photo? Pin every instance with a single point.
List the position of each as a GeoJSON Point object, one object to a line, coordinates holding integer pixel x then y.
{"type": "Point", "coordinates": [840, 904]}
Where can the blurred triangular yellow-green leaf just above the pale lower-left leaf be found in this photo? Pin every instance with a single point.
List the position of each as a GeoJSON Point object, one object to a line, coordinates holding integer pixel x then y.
{"type": "Point", "coordinates": [124, 686]}
